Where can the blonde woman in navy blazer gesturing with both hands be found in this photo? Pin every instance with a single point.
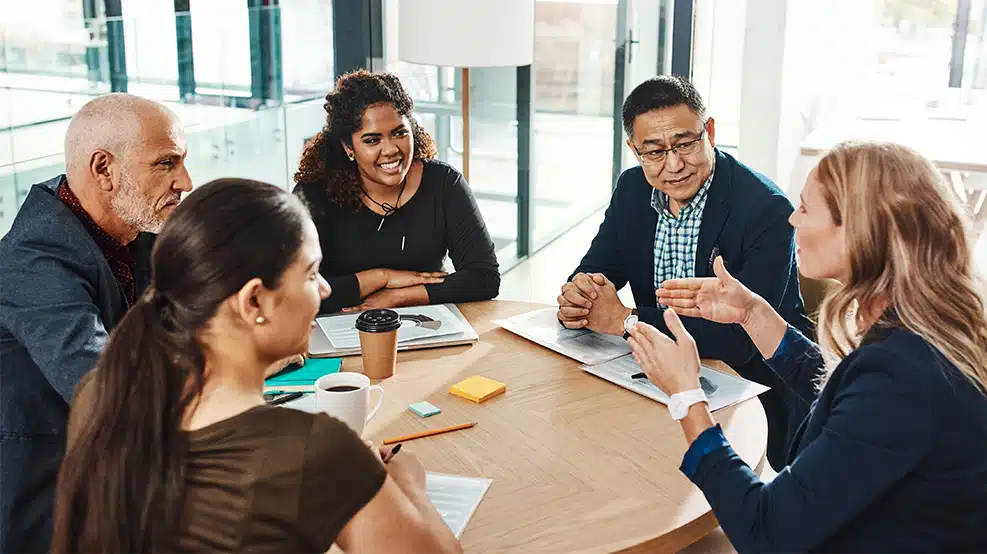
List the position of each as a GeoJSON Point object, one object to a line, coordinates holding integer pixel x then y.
{"type": "Point", "coordinates": [893, 455]}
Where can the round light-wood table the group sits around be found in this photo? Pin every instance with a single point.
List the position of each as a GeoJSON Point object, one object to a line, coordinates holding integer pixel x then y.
{"type": "Point", "coordinates": [578, 464]}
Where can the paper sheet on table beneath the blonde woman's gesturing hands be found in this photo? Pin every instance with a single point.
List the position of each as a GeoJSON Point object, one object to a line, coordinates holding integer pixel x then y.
{"type": "Point", "coordinates": [721, 389]}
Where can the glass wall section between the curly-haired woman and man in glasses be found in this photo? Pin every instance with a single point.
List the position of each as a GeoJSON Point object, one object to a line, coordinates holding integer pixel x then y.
{"type": "Point", "coordinates": [545, 141]}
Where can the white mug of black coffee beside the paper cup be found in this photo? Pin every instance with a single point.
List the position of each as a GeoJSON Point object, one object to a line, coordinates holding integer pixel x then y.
{"type": "Point", "coordinates": [348, 406]}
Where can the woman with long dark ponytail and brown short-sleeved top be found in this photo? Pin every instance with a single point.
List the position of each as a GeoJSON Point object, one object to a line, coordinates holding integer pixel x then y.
{"type": "Point", "coordinates": [171, 447]}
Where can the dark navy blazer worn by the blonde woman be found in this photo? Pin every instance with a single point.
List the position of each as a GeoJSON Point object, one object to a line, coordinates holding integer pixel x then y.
{"type": "Point", "coordinates": [893, 457]}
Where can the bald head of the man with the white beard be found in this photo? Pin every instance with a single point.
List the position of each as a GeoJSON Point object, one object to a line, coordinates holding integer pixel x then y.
{"type": "Point", "coordinates": [124, 157]}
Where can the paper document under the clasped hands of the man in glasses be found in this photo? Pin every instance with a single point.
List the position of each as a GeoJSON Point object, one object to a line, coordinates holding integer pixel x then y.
{"type": "Point", "coordinates": [582, 345]}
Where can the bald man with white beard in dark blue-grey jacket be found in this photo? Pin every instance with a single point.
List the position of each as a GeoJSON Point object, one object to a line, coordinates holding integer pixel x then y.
{"type": "Point", "coordinates": [76, 257]}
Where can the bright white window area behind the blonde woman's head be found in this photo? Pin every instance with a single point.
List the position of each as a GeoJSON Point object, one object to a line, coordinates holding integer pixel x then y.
{"type": "Point", "coordinates": [789, 80]}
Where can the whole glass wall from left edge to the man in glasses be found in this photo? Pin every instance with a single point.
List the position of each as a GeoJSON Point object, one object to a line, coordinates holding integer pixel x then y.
{"type": "Point", "coordinates": [248, 78]}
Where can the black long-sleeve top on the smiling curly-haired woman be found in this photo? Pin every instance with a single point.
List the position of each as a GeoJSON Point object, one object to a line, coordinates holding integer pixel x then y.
{"type": "Point", "coordinates": [441, 218]}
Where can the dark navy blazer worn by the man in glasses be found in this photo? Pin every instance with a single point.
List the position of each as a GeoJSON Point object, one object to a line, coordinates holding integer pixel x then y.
{"type": "Point", "coordinates": [746, 222]}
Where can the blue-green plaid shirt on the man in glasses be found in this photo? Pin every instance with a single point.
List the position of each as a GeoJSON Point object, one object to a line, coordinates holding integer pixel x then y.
{"type": "Point", "coordinates": [676, 238]}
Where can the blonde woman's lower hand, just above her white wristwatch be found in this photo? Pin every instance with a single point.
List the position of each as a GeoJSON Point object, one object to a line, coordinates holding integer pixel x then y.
{"type": "Point", "coordinates": [673, 366]}
